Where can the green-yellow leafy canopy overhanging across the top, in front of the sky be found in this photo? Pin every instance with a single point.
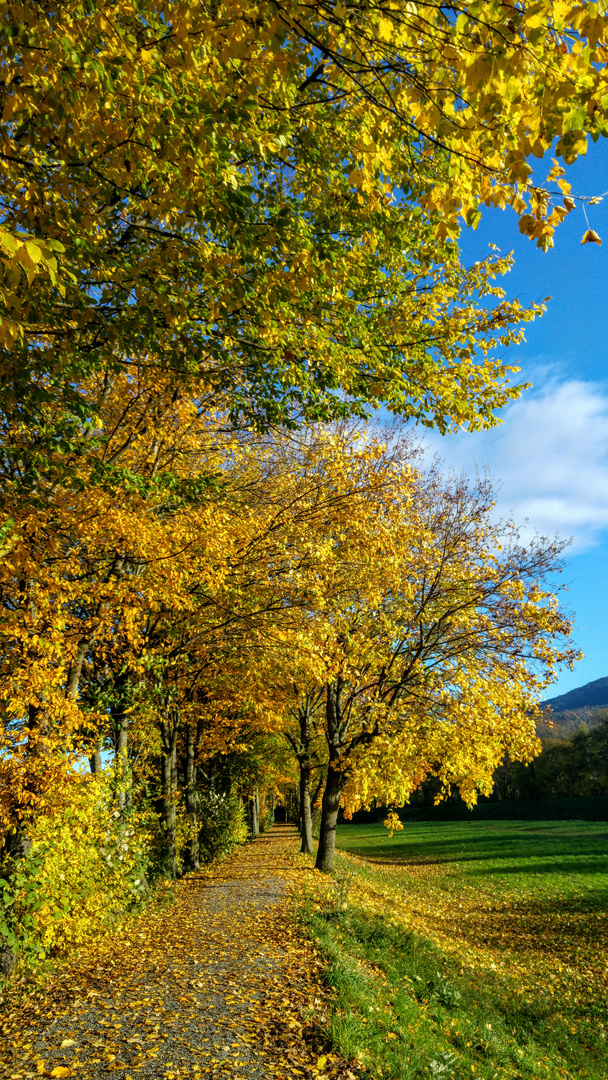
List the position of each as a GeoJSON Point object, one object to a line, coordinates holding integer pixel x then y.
{"type": "Point", "coordinates": [256, 206]}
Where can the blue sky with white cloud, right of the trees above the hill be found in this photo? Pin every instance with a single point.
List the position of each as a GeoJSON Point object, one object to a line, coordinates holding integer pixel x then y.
{"type": "Point", "coordinates": [550, 455]}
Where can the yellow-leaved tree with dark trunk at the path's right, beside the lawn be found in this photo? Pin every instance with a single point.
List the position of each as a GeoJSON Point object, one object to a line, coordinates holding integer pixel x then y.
{"type": "Point", "coordinates": [439, 640]}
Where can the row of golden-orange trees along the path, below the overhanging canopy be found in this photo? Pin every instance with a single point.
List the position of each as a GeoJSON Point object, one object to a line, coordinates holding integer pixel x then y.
{"type": "Point", "coordinates": [318, 592]}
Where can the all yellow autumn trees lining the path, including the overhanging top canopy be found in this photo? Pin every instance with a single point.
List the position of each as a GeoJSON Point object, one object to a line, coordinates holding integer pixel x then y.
{"type": "Point", "coordinates": [228, 232]}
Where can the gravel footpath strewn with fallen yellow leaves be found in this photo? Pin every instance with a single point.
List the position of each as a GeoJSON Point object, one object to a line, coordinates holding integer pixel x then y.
{"type": "Point", "coordinates": [217, 985]}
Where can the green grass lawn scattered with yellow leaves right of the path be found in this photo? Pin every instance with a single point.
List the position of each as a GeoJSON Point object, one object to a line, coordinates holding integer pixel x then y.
{"type": "Point", "coordinates": [470, 950]}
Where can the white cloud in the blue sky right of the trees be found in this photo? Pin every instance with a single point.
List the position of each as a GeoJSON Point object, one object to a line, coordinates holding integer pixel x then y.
{"type": "Point", "coordinates": [550, 457]}
